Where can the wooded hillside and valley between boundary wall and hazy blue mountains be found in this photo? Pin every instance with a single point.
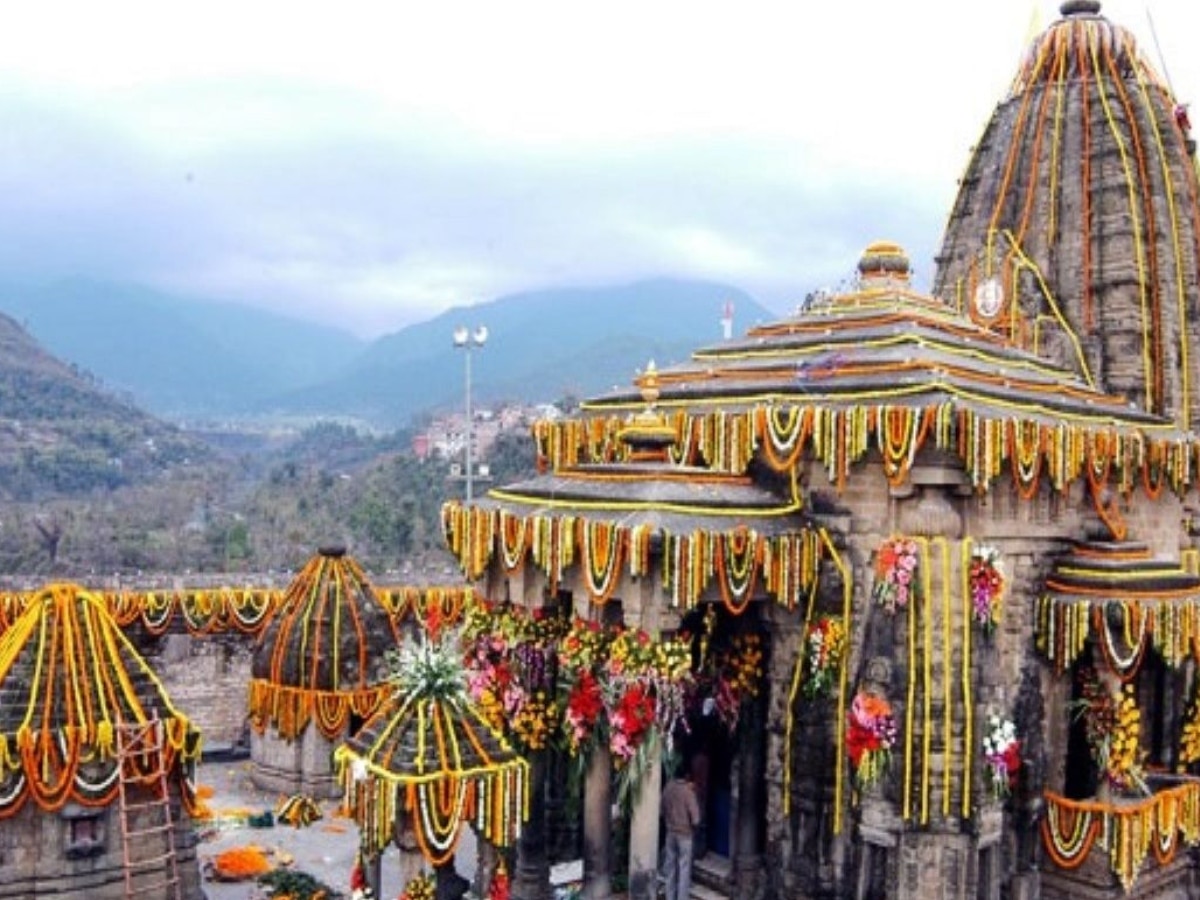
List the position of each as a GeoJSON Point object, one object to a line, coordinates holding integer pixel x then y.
{"type": "Point", "coordinates": [97, 491]}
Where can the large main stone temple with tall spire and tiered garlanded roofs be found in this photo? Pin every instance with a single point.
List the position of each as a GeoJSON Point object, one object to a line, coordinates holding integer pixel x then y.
{"type": "Point", "coordinates": [976, 590]}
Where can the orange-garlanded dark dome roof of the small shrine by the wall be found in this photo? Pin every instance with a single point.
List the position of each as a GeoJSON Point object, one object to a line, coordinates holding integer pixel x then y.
{"type": "Point", "coordinates": [321, 657]}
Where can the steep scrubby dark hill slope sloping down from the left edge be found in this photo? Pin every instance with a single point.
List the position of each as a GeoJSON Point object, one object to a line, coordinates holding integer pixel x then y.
{"type": "Point", "coordinates": [62, 435]}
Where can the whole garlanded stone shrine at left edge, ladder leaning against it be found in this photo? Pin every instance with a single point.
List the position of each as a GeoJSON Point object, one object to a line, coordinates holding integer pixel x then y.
{"type": "Point", "coordinates": [95, 763]}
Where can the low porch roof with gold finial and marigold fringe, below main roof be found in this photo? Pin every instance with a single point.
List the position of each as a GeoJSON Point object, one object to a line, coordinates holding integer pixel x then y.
{"type": "Point", "coordinates": [613, 517]}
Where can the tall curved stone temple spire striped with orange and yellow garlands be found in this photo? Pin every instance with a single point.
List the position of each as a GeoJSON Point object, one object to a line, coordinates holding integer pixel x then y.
{"type": "Point", "coordinates": [1078, 218]}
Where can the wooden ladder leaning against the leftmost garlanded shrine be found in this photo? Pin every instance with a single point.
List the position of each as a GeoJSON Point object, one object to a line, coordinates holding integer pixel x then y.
{"type": "Point", "coordinates": [141, 763]}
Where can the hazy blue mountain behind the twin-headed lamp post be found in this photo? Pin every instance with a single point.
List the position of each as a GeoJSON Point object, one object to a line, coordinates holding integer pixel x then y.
{"type": "Point", "coordinates": [542, 346]}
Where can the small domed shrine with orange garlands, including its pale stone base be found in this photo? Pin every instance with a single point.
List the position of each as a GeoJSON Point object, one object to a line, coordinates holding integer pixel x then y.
{"type": "Point", "coordinates": [319, 674]}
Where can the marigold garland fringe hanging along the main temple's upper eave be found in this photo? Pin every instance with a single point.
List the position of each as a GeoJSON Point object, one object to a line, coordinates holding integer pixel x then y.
{"type": "Point", "coordinates": [1035, 448]}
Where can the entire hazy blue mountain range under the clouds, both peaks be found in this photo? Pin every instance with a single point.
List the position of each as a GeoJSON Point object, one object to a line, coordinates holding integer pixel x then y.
{"type": "Point", "coordinates": [188, 359]}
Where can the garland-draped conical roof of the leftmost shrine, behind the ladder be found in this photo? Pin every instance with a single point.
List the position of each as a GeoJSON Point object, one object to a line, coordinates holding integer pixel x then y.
{"type": "Point", "coordinates": [69, 679]}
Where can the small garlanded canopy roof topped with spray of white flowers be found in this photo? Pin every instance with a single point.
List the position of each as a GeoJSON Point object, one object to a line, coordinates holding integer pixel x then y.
{"type": "Point", "coordinates": [429, 763]}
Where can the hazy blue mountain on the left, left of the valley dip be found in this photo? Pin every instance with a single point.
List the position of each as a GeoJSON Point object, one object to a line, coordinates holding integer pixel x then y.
{"type": "Point", "coordinates": [177, 357]}
